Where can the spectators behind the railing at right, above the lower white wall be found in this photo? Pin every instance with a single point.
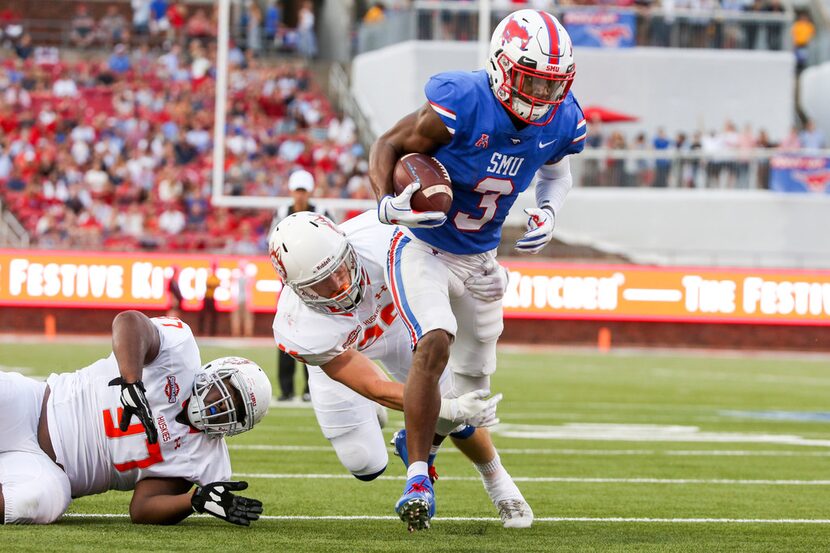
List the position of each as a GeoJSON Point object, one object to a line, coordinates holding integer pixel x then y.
{"type": "Point", "coordinates": [718, 158]}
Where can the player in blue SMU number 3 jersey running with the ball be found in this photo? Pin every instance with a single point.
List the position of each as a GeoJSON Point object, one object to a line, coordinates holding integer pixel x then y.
{"type": "Point", "coordinates": [494, 131]}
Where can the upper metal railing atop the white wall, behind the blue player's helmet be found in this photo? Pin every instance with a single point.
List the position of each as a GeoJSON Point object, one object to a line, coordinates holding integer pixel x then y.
{"type": "Point", "coordinates": [656, 26]}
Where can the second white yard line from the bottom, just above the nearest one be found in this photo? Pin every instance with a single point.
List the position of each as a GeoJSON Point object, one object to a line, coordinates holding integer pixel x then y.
{"type": "Point", "coordinates": [565, 479]}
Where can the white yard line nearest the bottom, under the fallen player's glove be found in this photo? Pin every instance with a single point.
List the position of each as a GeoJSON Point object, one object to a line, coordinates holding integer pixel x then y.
{"type": "Point", "coordinates": [496, 520]}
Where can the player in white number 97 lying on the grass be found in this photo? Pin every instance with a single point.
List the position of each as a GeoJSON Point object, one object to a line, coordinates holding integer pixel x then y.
{"type": "Point", "coordinates": [71, 436]}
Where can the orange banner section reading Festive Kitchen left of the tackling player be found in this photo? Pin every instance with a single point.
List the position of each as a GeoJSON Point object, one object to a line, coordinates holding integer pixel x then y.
{"type": "Point", "coordinates": [131, 280]}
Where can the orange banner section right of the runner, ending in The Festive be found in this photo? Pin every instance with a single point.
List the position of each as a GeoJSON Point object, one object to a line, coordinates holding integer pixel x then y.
{"type": "Point", "coordinates": [694, 294]}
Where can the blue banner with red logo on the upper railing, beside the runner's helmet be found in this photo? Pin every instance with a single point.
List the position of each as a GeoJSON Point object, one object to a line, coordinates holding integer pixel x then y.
{"type": "Point", "coordinates": [601, 29]}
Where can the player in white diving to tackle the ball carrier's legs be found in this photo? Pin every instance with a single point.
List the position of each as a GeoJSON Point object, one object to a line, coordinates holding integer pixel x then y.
{"type": "Point", "coordinates": [336, 314]}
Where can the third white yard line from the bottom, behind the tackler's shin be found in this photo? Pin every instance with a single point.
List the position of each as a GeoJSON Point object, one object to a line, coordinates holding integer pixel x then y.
{"type": "Point", "coordinates": [575, 452]}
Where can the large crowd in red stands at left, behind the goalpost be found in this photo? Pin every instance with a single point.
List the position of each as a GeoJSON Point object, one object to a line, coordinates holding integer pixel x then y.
{"type": "Point", "coordinates": [116, 152]}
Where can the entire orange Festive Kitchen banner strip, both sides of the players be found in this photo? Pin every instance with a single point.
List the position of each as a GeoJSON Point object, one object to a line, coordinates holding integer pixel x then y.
{"type": "Point", "coordinates": [536, 290]}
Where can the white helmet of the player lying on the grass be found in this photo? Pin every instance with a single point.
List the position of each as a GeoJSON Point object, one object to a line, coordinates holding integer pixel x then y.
{"type": "Point", "coordinates": [219, 414]}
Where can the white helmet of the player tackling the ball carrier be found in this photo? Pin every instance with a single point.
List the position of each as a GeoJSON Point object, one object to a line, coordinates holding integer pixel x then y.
{"type": "Point", "coordinates": [315, 259]}
